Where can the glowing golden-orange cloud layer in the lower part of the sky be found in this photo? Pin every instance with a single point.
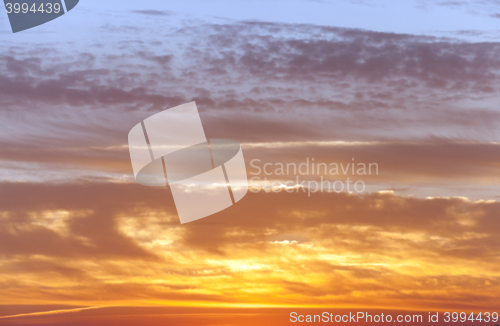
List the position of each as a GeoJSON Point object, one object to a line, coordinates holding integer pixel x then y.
{"type": "Point", "coordinates": [380, 245]}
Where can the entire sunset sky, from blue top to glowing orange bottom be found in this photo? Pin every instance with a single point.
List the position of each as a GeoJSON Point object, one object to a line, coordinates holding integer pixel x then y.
{"type": "Point", "coordinates": [411, 86]}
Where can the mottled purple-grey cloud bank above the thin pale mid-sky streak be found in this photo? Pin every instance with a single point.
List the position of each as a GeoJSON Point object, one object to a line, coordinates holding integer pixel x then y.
{"type": "Point", "coordinates": [263, 77]}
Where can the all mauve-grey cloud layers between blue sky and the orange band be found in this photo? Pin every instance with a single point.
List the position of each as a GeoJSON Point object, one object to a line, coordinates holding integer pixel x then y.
{"type": "Point", "coordinates": [258, 83]}
